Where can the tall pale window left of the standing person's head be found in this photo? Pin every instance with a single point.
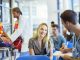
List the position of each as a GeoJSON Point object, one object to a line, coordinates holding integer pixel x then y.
{"type": "Point", "coordinates": [6, 16]}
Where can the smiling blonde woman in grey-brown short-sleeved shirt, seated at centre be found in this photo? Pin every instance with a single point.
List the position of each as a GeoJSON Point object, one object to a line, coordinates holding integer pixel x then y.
{"type": "Point", "coordinates": [39, 44]}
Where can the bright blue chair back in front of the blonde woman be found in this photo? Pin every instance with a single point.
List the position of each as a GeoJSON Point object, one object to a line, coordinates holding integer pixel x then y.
{"type": "Point", "coordinates": [35, 57]}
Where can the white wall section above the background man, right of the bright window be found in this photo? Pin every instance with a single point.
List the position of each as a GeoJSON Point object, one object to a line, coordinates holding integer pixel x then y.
{"type": "Point", "coordinates": [52, 10]}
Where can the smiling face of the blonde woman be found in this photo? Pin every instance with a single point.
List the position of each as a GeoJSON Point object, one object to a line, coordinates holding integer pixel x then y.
{"type": "Point", "coordinates": [42, 31]}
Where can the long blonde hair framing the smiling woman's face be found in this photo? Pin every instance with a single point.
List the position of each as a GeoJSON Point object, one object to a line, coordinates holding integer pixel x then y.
{"type": "Point", "coordinates": [35, 34]}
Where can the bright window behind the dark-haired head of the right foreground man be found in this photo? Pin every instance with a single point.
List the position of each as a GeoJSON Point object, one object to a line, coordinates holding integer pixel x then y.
{"type": "Point", "coordinates": [64, 5]}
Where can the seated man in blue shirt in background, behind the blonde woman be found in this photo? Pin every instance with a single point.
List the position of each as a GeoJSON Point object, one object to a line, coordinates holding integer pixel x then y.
{"type": "Point", "coordinates": [57, 40]}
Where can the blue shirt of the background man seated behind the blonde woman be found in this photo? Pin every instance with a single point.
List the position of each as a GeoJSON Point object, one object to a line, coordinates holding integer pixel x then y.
{"type": "Point", "coordinates": [57, 42]}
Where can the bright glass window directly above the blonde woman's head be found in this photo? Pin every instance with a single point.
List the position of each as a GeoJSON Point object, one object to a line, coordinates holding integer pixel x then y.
{"type": "Point", "coordinates": [40, 13]}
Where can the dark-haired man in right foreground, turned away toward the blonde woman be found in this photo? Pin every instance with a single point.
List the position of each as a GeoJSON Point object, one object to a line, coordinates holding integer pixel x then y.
{"type": "Point", "coordinates": [69, 20]}
